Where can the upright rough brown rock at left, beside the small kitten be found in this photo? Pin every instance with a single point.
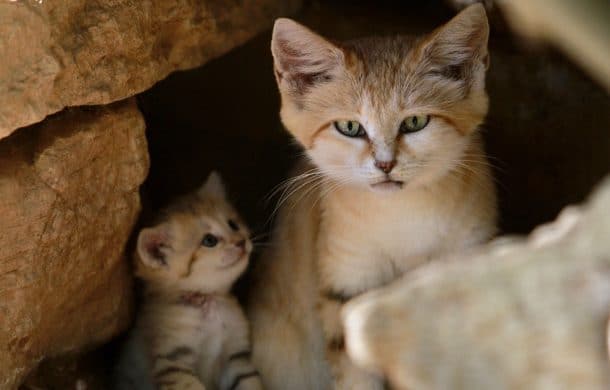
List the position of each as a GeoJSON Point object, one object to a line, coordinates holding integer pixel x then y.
{"type": "Point", "coordinates": [68, 201]}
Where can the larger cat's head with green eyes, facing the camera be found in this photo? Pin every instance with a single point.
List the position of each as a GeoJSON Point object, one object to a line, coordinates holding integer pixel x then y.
{"type": "Point", "coordinates": [384, 113]}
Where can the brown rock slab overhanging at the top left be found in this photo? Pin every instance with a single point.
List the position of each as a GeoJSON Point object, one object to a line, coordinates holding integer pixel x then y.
{"type": "Point", "coordinates": [86, 52]}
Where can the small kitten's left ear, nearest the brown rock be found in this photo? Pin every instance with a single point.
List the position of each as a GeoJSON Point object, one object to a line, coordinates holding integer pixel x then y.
{"type": "Point", "coordinates": [154, 246]}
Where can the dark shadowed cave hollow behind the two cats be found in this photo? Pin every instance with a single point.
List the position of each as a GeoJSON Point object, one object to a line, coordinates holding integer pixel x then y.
{"type": "Point", "coordinates": [546, 131]}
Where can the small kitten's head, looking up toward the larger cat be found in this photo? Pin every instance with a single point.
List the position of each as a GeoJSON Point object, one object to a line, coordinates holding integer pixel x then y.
{"type": "Point", "coordinates": [200, 243]}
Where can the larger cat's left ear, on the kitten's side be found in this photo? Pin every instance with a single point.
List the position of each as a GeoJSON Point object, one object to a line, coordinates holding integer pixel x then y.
{"type": "Point", "coordinates": [301, 57]}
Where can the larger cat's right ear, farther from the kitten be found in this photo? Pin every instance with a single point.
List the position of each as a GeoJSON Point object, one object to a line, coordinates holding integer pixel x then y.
{"type": "Point", "coordinates": [459, 48]}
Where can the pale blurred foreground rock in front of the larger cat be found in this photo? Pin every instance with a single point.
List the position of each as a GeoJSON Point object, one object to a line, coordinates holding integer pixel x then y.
{"type": "Point", "coordinates": [526, 314]}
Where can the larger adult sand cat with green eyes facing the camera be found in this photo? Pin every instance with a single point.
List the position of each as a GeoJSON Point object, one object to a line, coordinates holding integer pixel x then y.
{"type": "Point", "coordinates": [397, 175]}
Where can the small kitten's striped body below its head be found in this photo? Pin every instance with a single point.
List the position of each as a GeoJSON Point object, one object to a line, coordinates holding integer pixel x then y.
{"type": "Point", "coordinates": [181, 345]}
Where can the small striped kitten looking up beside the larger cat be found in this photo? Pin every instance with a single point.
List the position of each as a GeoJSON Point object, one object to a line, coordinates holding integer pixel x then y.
{"type": "Point", "coordinates": [191, 333]}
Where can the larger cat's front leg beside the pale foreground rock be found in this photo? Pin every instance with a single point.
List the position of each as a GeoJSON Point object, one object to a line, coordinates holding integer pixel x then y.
{"type": "Point", "coordinates": [346, 376]}
